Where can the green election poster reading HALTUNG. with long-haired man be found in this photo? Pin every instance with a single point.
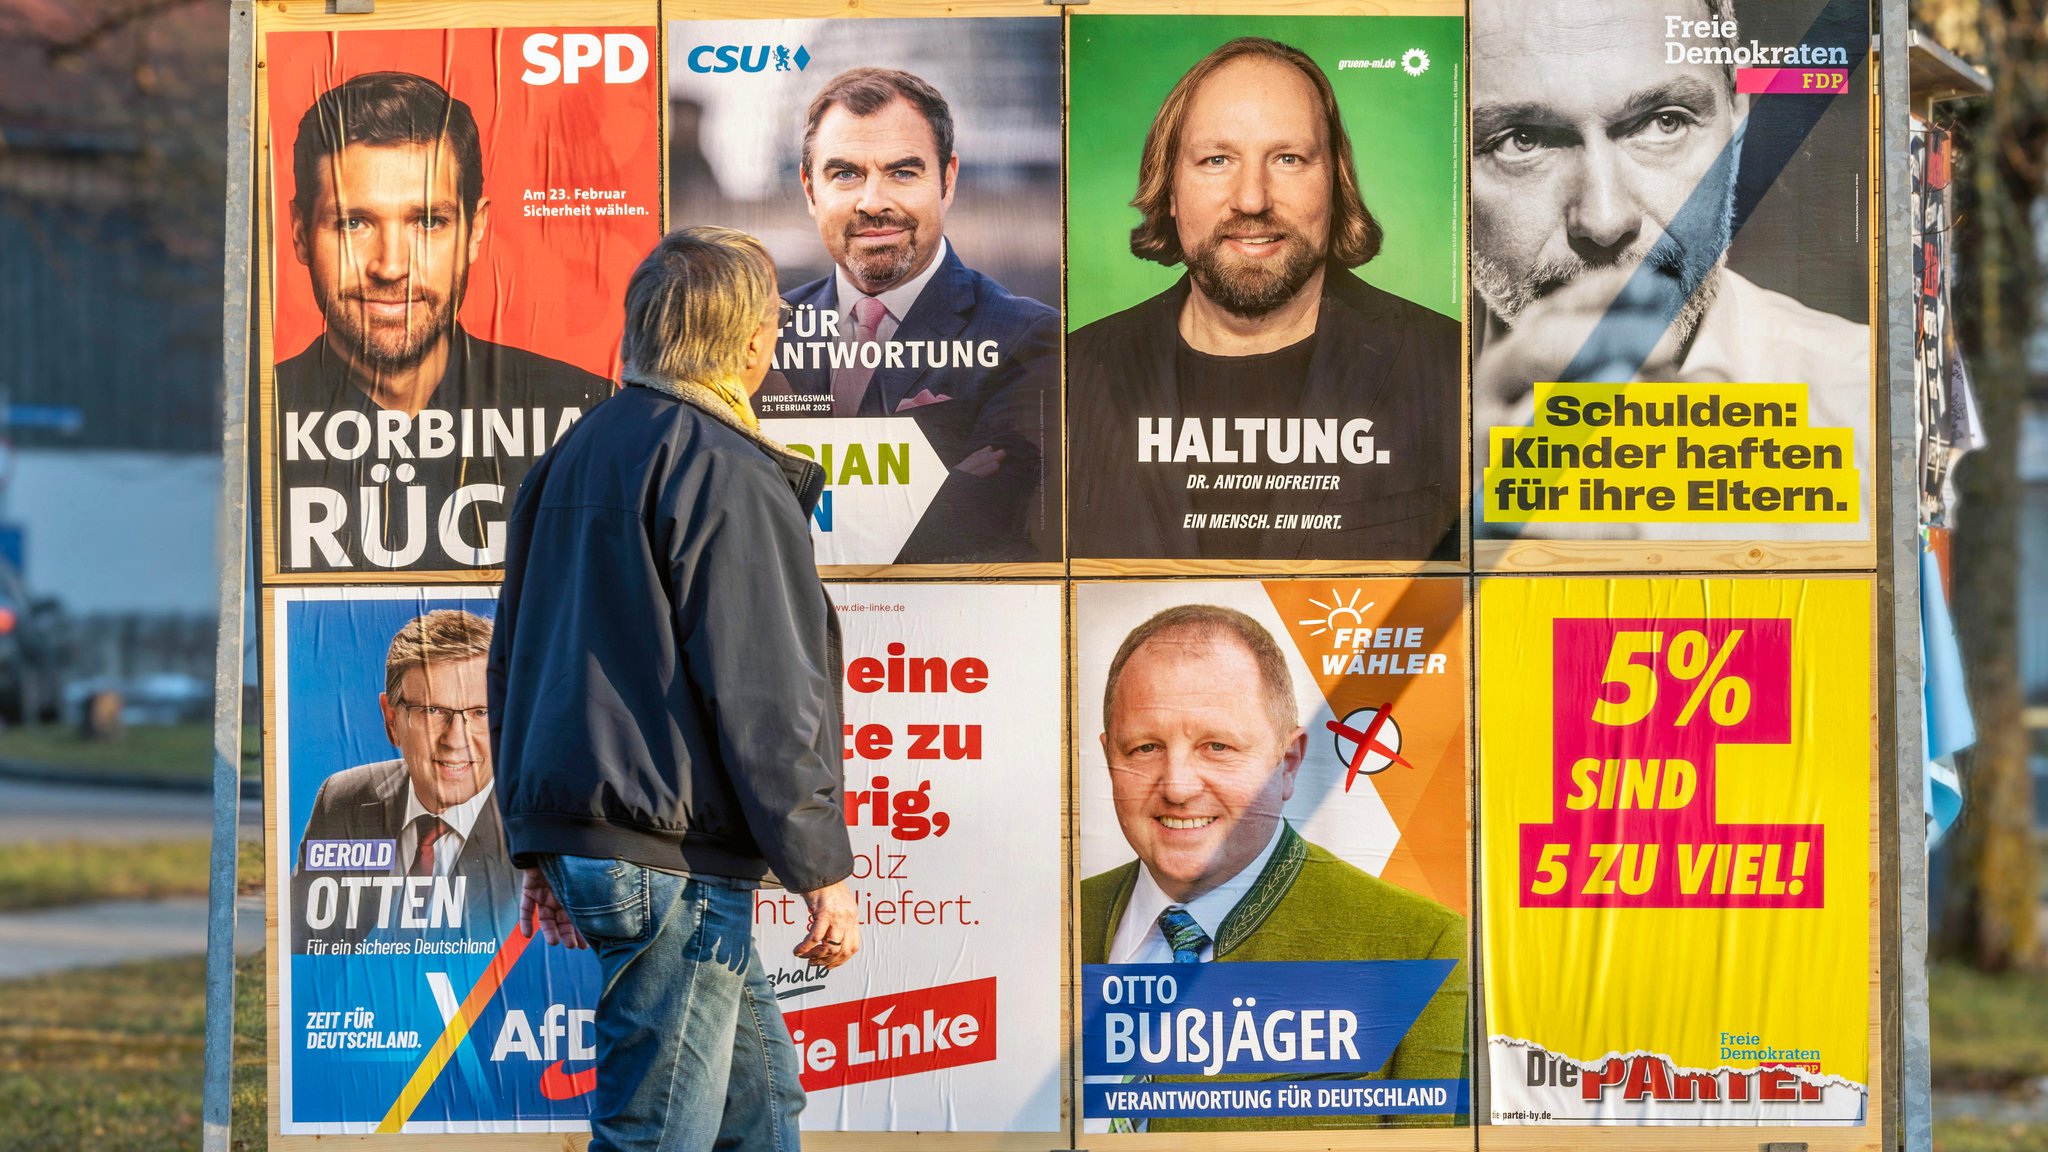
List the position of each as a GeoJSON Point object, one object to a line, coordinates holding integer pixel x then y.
{"type": "Point", "coordinates": [1265, 296]}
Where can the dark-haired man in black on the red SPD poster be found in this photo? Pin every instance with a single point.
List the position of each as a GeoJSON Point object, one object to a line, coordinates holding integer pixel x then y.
{"type": "Point", "coordinates": [402, 436]}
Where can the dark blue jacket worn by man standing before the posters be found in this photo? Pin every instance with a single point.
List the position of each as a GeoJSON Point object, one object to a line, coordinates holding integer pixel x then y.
{"type": "Point", "coordinates": [665, 675]}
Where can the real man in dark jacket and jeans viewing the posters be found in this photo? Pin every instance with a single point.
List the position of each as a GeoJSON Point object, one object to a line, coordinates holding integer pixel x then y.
{"type": "Point", "coordinates": [667, 710]}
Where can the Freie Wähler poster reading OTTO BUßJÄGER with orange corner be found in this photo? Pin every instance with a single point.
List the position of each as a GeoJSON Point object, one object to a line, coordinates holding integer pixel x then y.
{"type": "Point", "coordinates": [1273, 796]}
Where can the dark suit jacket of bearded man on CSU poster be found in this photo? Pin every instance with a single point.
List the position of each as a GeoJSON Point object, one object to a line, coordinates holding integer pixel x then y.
{"type": "Point", "coordinates": [1015, 407]}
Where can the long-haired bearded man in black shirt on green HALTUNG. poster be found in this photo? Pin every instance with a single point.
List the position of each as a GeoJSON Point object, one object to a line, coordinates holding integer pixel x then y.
{"type": "Point", "coordinates": [1248, 181]}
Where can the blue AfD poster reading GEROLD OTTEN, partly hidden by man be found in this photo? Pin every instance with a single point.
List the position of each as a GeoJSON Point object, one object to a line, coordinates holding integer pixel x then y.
{"type": "Point", "coordinates": [407, 997]}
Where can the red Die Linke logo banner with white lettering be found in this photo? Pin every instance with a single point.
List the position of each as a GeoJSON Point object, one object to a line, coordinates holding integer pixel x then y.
{"type": "Point", "coordinates": [896, 1036]}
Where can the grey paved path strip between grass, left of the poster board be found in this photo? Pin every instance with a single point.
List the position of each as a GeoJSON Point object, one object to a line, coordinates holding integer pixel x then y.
{"type": "Point", "coordinates": [93, 936]}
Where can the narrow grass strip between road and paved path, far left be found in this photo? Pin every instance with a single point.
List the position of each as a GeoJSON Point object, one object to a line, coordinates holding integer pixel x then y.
{"type": "Point", "coordinates": [56, 874]}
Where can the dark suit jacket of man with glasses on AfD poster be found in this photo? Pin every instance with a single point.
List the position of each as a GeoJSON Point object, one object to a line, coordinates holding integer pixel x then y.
{"type": "Point", "coordinates": [370, 805]}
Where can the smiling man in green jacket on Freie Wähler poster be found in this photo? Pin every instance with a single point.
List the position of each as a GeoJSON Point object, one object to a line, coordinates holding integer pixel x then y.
{"type": "Point", "coordinates": [1203, 743]}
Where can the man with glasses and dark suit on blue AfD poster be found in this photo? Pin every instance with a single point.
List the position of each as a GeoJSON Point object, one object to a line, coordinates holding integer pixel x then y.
{"type": "Point", "coordinates": [425, 815]}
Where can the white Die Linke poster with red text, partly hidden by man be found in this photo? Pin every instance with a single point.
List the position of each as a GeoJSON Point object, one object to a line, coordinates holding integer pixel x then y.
{"type": "Point", "coordinates": [949, 1018]}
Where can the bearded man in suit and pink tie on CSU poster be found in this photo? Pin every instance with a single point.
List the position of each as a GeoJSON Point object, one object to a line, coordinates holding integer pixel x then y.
{"type": "Point", "coordinates": [880, 175]}
